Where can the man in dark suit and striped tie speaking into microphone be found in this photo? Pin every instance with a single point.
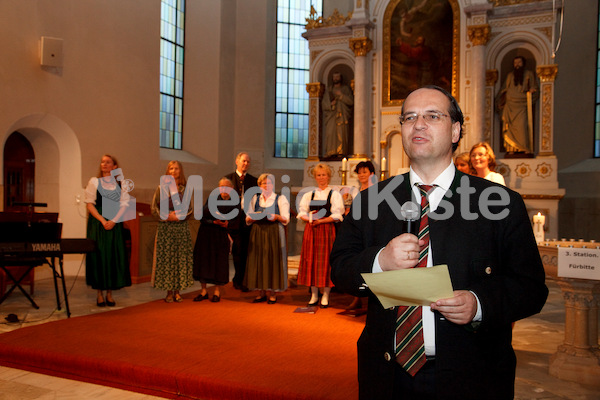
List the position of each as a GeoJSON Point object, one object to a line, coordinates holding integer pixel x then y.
{"type": "Point", "coordinates": [480, 229]}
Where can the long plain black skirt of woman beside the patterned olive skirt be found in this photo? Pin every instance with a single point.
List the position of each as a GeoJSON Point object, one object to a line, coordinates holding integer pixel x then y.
{"type": "Point", "coordinates": [211, 254]}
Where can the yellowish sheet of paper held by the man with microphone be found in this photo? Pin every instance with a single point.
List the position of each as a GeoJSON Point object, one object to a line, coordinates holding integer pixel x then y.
{"type": "Point", "coordinates": [410, 287]}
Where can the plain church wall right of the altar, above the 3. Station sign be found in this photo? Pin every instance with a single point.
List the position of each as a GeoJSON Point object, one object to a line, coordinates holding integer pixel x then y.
{"type": "Point", "coordinates": [579, 172]}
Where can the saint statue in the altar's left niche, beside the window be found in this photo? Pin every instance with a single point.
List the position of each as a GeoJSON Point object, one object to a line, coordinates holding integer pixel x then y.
{"type": "Point", "coordinates": [337, 105]}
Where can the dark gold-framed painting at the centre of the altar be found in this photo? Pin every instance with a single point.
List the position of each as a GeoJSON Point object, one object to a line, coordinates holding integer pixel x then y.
{"type": "Point", "coordinates": [420, 47]}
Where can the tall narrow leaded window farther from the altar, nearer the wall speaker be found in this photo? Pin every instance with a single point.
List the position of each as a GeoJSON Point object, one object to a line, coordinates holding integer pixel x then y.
{"type": "Point", "coordinates": [172, 33]}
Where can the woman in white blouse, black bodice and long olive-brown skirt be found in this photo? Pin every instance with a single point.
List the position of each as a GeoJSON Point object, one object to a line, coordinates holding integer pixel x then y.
{"type": "Point", "coordinates": [266, 265]}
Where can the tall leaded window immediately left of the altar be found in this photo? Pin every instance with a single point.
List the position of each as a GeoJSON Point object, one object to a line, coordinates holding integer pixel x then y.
{"type": "Point", "coordinates": [293, 62]}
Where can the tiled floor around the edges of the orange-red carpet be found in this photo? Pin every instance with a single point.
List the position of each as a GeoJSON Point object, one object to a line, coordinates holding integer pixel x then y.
{"type": "Point", "coordinates": [535, 339]}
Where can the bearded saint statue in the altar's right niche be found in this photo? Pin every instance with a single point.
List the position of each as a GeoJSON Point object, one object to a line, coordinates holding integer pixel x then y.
{"type": "Point", "coordinates": [515, 102]}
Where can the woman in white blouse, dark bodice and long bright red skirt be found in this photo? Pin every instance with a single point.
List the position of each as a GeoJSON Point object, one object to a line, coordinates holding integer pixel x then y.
{"type": "Point", "coordinates": [321, 209]}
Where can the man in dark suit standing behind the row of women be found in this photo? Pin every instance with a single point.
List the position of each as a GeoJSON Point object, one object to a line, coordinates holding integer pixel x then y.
{"type": "Point", "coordinates": [242, 181]}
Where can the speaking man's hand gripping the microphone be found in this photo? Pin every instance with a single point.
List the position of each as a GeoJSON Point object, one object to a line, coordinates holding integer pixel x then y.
{"type": "Point", "coordinates": [401, 252]}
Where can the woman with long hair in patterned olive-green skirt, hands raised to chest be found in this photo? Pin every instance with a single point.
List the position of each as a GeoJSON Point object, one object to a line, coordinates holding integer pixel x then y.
{"type": "Point", "coordinates": [173, 256]}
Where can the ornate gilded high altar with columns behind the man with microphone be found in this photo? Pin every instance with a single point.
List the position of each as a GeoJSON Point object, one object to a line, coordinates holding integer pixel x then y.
{"type": "Point", "coordinates": [475, 43]}
